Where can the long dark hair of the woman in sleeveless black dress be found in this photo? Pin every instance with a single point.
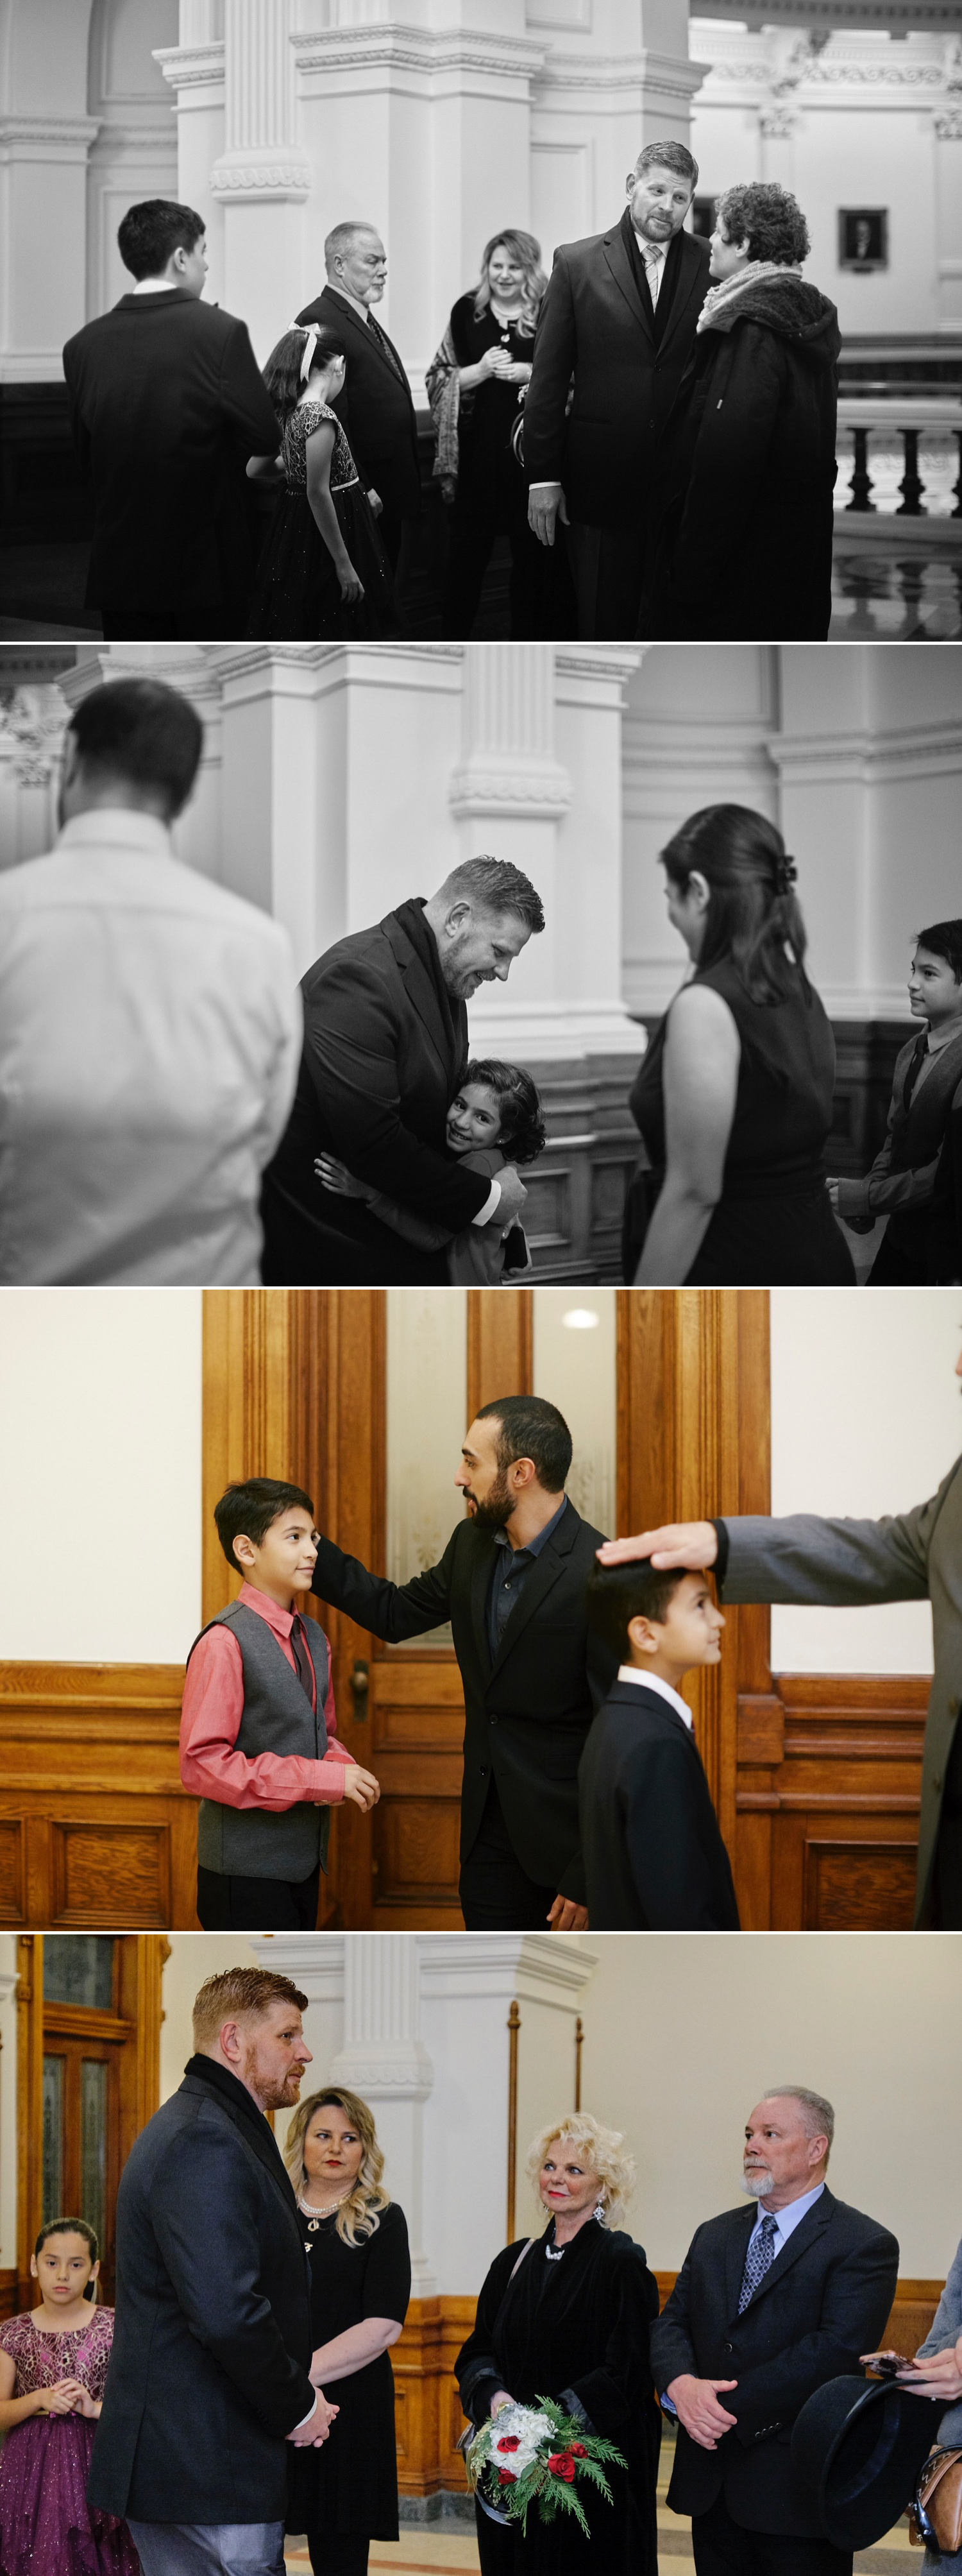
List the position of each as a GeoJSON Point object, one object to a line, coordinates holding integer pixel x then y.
{"type": "Point", "coordinates": [752, 911]}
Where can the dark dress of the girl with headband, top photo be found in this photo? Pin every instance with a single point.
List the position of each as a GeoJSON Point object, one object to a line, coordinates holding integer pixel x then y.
{"type": "Point", "coordinates": [297, 594]}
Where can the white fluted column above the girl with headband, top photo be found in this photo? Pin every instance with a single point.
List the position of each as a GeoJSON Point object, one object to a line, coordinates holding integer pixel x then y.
{"type": "Point", "coordinates": [264, 176]}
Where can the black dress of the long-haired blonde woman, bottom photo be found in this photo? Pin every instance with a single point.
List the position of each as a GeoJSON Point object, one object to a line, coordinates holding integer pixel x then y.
{"type": "Point", "coordinates": [351, 2487]}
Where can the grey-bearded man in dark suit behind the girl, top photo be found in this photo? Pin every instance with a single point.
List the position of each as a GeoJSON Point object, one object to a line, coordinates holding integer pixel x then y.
{"type": "Point", "coordinates": [377, 401]}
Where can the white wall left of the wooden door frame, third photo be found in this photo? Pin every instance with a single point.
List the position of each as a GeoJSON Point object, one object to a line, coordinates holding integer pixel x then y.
{"type": "Point", "coordinates": [99, 1475]}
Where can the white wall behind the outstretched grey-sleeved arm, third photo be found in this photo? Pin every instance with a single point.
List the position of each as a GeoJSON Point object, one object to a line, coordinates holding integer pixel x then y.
{"type": "Point", "coordinates": [866, 1421]}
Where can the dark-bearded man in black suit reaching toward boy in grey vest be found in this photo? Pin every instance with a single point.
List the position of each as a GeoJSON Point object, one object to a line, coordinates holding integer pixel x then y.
{"type": "Point", "coordinates": [513, 1586]}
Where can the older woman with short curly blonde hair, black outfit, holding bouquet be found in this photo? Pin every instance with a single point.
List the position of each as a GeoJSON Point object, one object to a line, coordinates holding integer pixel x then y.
{"type": "Point", "coordinates": [570, 2317]}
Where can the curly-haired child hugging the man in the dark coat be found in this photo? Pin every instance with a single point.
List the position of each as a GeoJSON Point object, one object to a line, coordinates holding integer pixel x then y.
{"type": "Point", "coordinates": [495, 1124]}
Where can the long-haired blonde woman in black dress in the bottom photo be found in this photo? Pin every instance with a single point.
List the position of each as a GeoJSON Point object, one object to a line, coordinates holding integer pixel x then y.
{"type": "Point", "coordinates": [361, 2281]}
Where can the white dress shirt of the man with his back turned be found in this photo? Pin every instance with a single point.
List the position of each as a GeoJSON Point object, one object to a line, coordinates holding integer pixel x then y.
{"type": "Point", "coordinates": [150, 1037]}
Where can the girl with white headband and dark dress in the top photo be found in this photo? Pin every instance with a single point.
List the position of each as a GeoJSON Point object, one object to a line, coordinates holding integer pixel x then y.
{"type": "Point", "coordinates": [323, 568]}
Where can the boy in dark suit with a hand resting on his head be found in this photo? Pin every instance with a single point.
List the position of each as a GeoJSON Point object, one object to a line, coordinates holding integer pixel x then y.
{"type": "Point", "coordinates": [652, 1851]}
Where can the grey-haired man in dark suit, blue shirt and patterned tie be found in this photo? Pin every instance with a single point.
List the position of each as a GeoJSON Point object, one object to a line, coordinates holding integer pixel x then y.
{"type": "Point", "coordinates": [768, 2307]}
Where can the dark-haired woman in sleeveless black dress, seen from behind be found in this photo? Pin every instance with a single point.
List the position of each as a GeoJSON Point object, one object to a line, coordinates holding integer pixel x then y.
{"type": "Point", "coordinates": [737, 1088]}
